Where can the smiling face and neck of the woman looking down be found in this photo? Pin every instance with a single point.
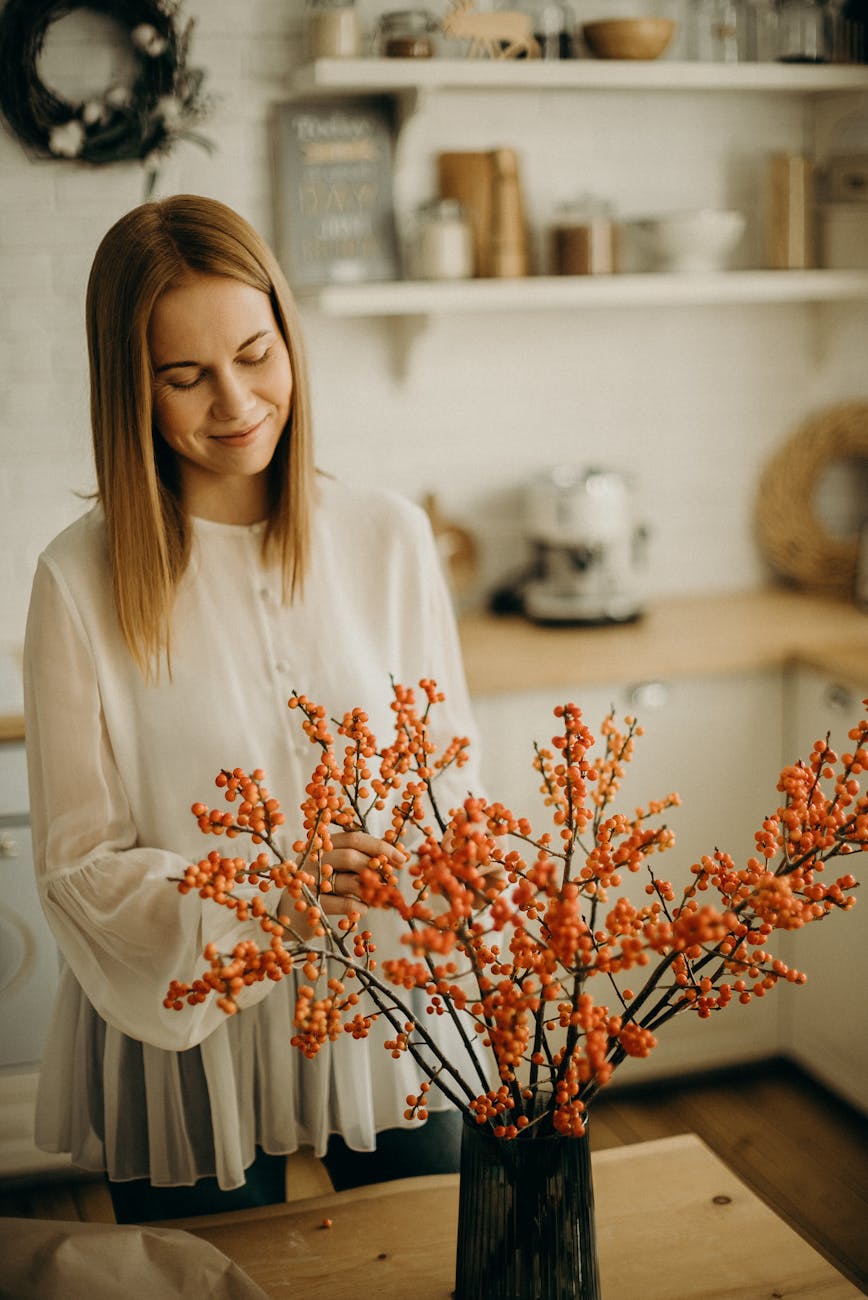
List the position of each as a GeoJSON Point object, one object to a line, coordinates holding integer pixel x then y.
{"type": "Point", "coordinates": [223, 385]}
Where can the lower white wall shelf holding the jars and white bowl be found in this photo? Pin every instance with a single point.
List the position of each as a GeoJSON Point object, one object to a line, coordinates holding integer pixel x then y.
{"type": "Point", "coordinates": [550, 293]}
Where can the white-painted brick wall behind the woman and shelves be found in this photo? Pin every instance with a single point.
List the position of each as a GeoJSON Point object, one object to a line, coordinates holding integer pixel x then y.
{"type": "Point", "coordinates": [689, 401]}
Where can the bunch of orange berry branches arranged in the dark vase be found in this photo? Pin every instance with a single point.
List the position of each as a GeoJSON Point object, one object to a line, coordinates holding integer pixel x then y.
{"type": "Point", "coordinates": [510, 931]}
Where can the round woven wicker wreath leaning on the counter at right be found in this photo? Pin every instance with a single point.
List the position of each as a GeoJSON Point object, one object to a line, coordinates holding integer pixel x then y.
{"type": "Point", "coordinates": [793, 540]}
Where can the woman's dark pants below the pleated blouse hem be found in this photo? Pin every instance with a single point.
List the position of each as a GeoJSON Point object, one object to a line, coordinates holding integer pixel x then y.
{"type": "Point", "coordinates": [433, 1149]}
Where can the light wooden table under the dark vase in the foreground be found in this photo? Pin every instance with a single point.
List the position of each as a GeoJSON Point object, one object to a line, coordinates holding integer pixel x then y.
{"type": "Point", "coordinates": [674, 1224]}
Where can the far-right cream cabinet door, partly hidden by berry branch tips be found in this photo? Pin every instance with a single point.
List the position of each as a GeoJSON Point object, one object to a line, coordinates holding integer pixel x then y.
{"type": "Point", "coordinates": [826, 1021]}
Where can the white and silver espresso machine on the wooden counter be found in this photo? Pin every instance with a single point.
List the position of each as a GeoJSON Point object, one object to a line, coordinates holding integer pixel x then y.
{"type": "Point", "coordinates": [588, 552]}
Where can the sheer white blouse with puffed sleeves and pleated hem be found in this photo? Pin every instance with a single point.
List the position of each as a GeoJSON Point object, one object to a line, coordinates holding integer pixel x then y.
{"type": "Point", "coordinates": [115, 765]}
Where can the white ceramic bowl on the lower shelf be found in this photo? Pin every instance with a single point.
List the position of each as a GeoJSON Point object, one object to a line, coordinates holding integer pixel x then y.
{"type": "Point", "coordinates": [702, 240]}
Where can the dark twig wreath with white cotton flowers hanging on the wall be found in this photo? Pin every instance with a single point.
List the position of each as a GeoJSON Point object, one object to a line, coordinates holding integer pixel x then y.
{"type": "Point", "coordinates": [123, 124]}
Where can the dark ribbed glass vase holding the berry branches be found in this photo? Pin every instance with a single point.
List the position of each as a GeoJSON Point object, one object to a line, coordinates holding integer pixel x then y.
{"type": "Point", "coordinates": [526, 1219]}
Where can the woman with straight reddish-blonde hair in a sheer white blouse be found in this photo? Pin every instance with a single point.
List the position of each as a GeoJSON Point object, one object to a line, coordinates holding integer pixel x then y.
{"type": "Point", "coordinates": [168, 627]}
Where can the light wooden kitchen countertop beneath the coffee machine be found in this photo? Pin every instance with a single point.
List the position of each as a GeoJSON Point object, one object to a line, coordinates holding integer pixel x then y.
{"type": "Point", "coordinates": [678, 638]}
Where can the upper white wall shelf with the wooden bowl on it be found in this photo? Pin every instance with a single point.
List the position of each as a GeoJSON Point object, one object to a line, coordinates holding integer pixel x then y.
{"type": "Point", "coordinates": [396, 76]}
